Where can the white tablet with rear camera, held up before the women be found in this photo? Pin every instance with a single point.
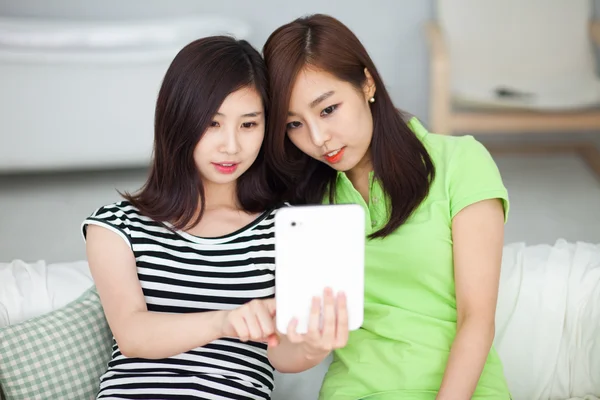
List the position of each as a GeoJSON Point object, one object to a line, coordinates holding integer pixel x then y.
{"type": "Point", "coordinates": [317, 247]}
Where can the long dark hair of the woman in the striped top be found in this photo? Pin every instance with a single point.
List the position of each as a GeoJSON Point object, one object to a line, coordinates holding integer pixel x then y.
{"type": "Point", "coordinates": [195, 85]}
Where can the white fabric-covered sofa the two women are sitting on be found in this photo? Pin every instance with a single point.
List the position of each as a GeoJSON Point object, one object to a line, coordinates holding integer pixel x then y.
{"type": "Point", "coordinates": [547, 323]}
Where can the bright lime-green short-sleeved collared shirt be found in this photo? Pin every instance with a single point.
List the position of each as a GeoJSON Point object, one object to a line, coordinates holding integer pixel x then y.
{"type": "Point", "coordinates": [402, 348]}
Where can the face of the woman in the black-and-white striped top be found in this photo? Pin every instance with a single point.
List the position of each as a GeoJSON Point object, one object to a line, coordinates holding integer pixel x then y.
{"type": "Point", "coordinates": [232, 142]}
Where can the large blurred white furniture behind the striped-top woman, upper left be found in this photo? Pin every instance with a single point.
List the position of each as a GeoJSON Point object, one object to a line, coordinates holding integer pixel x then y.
{"type": "Point", "coordinates": [90, 83]}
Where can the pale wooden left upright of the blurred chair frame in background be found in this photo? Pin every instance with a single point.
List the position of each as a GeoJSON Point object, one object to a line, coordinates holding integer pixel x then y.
{"type": "Point", "coordinates": [439, 101]}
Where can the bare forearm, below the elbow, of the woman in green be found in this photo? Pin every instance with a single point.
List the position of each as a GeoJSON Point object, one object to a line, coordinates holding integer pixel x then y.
{"type": "Point", "coordinates": [468, 355]}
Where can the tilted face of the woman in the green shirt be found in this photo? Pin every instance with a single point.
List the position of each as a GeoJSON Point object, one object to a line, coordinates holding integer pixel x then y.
{"type": "Point", "coordinates": [330, 120]}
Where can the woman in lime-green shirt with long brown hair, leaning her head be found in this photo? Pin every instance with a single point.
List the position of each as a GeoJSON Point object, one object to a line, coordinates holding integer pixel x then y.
{"type": "Point", "coordinates": [435, 209]}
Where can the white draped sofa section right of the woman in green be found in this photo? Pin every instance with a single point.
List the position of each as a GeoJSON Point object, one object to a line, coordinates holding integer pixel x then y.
{"type": "Point", "coordinates": [548, 320]}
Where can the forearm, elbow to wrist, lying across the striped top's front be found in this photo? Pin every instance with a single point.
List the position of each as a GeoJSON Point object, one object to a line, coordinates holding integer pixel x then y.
{"type": "Point", "coordinates": [159, 335]}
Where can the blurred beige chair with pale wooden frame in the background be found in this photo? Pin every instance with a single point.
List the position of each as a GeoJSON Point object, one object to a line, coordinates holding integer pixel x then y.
{"type": "Point", "coordinates": [516, 67]}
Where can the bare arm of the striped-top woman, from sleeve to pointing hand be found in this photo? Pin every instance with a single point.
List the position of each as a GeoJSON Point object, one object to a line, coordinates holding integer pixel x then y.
{"type": "Point", "coordinates": [139, 332]}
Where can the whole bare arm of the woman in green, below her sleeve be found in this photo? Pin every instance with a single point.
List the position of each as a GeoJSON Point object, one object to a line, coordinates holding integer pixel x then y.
{"type": "Point", "coordinates": [477, 233]}
